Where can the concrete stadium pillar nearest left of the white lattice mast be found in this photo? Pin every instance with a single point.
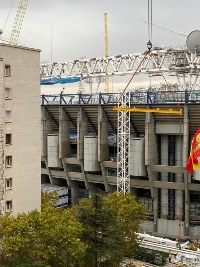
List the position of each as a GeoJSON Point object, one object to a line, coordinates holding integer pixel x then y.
{"type": "Point", "coordinates": [103, 152]}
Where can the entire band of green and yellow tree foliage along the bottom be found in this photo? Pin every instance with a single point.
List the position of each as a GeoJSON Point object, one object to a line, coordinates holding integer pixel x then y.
{"type": "Point", "coordinates": [97, 232]}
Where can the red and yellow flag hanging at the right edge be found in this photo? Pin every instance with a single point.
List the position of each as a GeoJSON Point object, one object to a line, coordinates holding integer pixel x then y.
{"type": "Point", "coordinates": [193, 162]}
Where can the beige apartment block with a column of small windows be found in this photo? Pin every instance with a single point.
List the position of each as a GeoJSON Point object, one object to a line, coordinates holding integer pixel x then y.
{"type": "Point", "coordinates": [20, 135]}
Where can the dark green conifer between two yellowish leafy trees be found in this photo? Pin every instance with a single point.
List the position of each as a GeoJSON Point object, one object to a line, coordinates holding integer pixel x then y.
{"type": "Point", "coordinates": [101, 232]}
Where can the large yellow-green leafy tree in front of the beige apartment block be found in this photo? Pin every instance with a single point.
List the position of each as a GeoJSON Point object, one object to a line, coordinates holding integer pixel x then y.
{"type": "Point", "coordinates": [46, 238]}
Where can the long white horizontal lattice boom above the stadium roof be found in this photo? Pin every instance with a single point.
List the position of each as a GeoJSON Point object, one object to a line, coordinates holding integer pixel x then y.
{"type": "Point", "coordinates": [179, 63]}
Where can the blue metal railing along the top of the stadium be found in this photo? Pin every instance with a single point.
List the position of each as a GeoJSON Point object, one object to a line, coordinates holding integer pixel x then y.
{"type": "Point", "coordinates": [136, 97]}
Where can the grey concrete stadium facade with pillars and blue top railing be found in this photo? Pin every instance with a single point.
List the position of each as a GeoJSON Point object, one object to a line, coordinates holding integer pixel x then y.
{"type": "Point", "coordinates": [80, 151]}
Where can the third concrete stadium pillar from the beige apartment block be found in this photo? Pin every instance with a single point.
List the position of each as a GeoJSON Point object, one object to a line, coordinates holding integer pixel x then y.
{"type": "Point", "coordinates": [82, 131]}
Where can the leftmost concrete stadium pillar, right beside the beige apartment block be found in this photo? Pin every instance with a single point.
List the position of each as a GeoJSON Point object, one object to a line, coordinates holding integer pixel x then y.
{"type": "Point", "coordinates": [46, 125]}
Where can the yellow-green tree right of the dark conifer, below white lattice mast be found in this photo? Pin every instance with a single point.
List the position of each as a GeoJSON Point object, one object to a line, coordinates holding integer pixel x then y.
{"type": "Point", "coordinates": [129, 214]}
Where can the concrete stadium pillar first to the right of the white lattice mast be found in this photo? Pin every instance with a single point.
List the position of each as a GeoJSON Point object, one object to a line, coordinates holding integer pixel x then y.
{"type": "Point", "coordinates": [150, 158]}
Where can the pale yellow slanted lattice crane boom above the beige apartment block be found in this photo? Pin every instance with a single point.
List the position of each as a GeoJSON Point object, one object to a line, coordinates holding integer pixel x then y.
{"type": "Point", "coordinates": [21, 9]}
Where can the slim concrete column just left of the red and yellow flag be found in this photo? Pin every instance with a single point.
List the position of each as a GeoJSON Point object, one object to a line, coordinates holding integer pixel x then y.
{"type": "Point", "coordinates": [186, 175]}
